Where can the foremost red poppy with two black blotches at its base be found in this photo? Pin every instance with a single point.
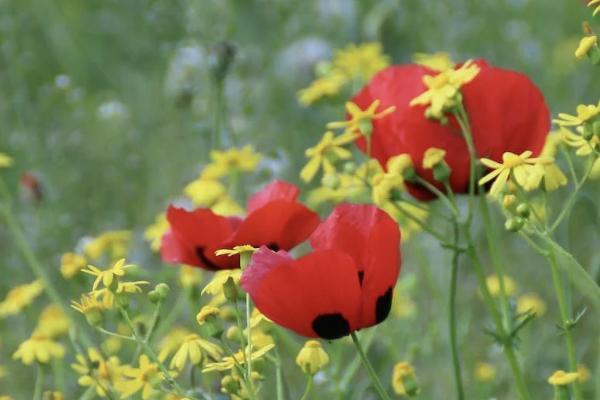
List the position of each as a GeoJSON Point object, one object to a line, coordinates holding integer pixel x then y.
{"type": "Point", "coordinates": [345, 284]}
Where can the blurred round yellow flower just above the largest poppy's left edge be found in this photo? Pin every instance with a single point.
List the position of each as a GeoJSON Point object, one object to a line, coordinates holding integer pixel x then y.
{"type": "Point", "coordinates": [360, 62]}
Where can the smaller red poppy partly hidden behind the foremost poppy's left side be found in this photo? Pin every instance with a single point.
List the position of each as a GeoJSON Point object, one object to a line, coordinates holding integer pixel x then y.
{"type": "Point", "coordinates": [275, 219]}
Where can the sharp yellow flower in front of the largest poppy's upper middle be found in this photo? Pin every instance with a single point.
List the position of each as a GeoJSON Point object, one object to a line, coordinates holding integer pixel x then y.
{"type": "Point", "coordinates": [442, 89]}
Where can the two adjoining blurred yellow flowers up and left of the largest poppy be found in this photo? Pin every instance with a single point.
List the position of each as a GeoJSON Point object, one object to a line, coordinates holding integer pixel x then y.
{"type": "Point", "coordinates": [353, 64]}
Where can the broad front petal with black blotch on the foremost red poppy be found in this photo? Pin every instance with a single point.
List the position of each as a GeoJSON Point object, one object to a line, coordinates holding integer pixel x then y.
{"type": "Point", "coordinates": [317, 295]}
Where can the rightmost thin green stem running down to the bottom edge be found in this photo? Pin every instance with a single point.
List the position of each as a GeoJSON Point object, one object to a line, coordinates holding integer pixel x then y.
{"type": "Point", "coordinates": [565, 320]}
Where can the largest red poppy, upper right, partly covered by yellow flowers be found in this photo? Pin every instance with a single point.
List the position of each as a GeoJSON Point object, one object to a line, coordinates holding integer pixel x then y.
{"type": "Point", "coordinates": [507, 112]}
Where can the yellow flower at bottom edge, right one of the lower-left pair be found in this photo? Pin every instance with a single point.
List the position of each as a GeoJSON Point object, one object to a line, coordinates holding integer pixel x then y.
{"type": "Point", "coordinates": [145, 378]}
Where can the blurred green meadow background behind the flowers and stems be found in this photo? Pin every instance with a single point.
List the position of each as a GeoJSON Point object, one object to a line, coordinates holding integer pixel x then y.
{"type": "Point", "coordinates": [108, 103]}
